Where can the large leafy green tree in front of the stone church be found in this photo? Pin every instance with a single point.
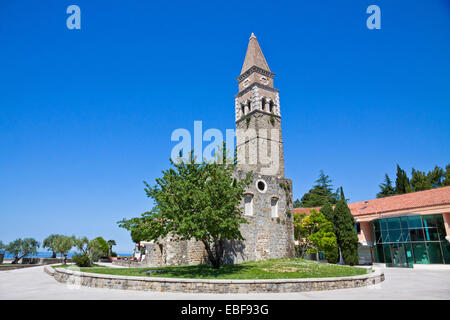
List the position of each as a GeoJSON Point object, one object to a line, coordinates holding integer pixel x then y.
{"type": "Point", "coordinates": [198, 201]}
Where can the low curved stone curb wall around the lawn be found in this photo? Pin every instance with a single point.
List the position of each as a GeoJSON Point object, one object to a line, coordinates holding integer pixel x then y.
{"type": "Point", "coordinates": [211, 286]}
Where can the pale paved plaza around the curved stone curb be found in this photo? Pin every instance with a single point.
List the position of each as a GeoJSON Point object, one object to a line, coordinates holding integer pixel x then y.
{"type": "Point", "coordinates": [422, 282]}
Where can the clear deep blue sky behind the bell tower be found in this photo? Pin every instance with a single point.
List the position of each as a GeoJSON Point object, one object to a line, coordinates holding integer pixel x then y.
{"type": "Point", "coordinates": [86, 115]}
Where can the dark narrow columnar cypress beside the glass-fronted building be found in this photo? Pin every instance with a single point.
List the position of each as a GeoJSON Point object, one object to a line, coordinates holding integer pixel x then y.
{"type": "Point", "coordinates": [347, 238]}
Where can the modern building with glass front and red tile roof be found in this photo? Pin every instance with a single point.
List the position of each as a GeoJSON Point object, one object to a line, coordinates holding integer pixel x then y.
{"type": "Point", "coordinates": [404, 230]}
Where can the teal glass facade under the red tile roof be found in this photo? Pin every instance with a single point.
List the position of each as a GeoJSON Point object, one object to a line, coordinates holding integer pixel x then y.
{"type": "Point", "coordinates": [406, 240]}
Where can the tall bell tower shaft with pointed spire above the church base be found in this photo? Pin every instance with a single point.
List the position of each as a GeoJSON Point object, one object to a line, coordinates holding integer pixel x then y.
{"type": "Point", "coordinates": [258, 119]}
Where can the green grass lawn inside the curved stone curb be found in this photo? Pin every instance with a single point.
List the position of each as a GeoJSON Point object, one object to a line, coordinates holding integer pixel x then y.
{"type": "Point", "coordinates": [264, 269]}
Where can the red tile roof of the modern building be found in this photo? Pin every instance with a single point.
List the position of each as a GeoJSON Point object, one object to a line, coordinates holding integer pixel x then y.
{"type": "Point", "coordinates": [413, 200]}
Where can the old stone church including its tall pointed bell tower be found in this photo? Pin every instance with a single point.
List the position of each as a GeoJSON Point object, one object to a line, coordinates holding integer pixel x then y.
{"type": "Point", "coordinates": [267, 204]}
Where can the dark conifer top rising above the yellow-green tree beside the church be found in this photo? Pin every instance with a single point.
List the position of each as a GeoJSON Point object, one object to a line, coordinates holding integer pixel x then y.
{"type": "Point", "coordinates": [320, 193]}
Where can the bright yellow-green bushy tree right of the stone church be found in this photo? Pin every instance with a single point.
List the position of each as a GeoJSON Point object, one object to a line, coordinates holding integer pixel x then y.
{"type": "Point", "coordinates": [315, 234]}
